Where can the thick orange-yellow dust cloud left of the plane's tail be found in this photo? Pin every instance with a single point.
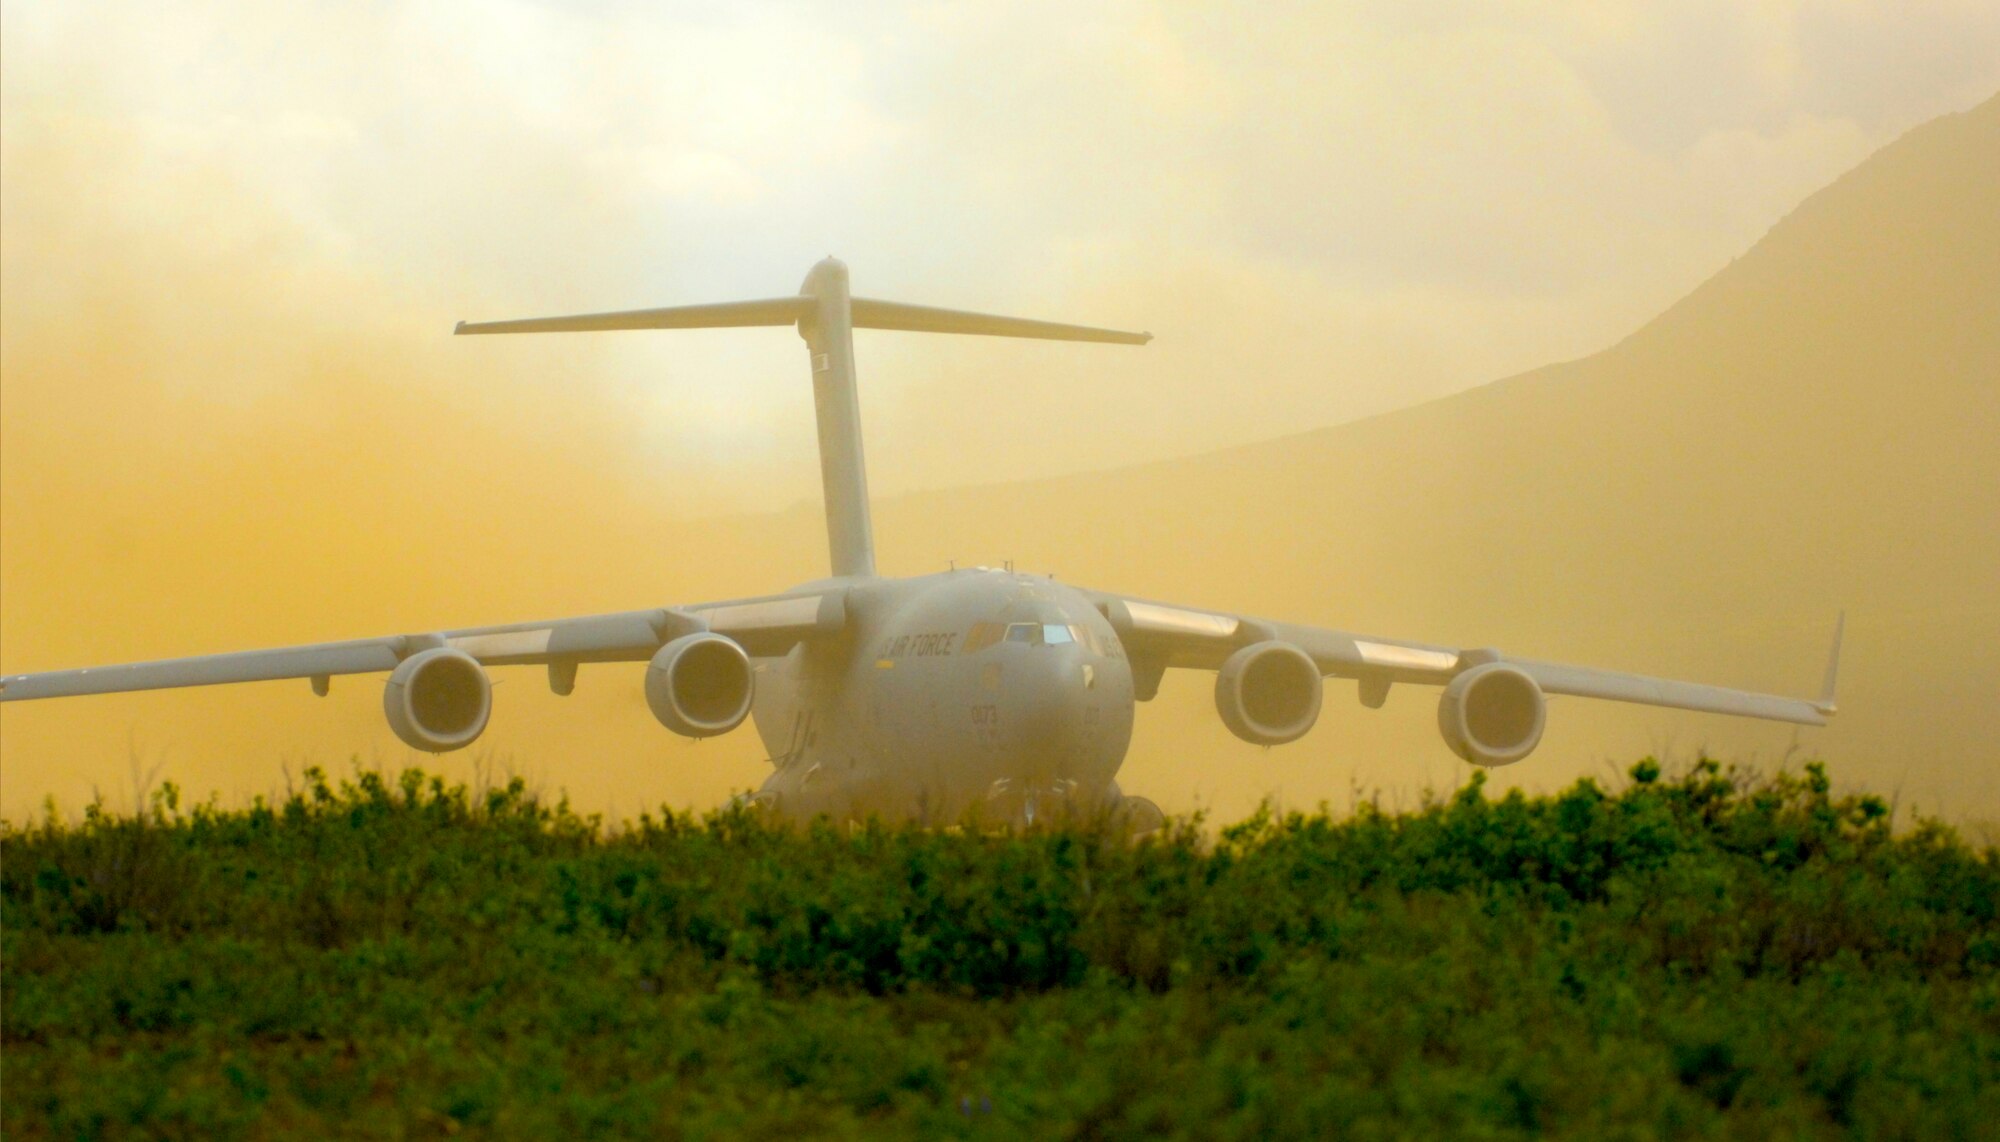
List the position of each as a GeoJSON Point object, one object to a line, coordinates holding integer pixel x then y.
{"type": "Point", "coordinates": [231, 439]}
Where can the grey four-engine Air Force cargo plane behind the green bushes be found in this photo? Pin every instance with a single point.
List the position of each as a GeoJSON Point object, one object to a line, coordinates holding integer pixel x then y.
{"type": "Point", "coordinates": [969, 693]}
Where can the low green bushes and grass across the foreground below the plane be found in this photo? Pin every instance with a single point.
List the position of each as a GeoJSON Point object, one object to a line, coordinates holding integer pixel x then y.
{"type": "Point", "coordinates": [1707, 955]}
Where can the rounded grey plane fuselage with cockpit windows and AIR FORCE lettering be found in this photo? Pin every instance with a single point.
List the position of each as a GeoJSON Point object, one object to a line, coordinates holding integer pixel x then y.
{"type": "Point", "coordinates": [965, 693]}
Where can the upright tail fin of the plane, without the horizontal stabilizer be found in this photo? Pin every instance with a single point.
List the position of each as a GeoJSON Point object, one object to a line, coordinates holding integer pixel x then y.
{"type": "Point", "coordinates": [829, 331]}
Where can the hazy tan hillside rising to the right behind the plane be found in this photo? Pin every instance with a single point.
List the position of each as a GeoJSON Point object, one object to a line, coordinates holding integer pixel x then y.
{"type": "Point", "coordinates": [1815, 429]}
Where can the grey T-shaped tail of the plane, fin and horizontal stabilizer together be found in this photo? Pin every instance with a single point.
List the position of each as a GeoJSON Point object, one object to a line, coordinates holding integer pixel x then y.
{"type": "Point", "coordinates": [827, 317]}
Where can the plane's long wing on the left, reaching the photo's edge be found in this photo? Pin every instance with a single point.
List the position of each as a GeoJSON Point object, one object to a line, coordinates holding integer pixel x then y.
{"type": "Point", "coordinates": [767, 625]}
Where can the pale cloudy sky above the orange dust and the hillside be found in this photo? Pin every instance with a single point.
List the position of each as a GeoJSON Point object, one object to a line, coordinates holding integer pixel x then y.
{"type": "Point", "coordinates": [1323, 209]}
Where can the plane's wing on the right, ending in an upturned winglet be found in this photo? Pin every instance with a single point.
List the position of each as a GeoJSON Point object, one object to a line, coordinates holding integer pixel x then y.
{"type": "Point", "coordinates": [1163, 635]}
